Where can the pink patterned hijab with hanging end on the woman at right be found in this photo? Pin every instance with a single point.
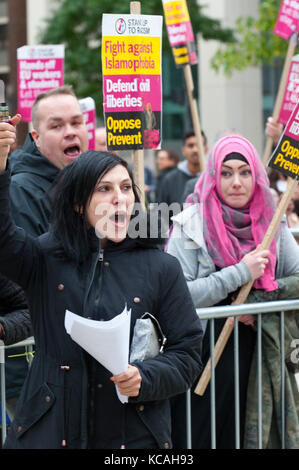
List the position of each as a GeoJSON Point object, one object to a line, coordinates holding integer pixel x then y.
{"type": "Point", "coordinates": [231, 233]}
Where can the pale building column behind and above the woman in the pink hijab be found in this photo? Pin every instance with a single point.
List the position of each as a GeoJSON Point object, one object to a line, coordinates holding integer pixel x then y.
{"type": "Point", "coordinates": [234, 102]}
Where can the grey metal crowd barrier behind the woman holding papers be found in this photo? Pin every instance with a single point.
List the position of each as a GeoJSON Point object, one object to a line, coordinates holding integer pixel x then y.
{"type": "Point", "coordinates": [210, 313]}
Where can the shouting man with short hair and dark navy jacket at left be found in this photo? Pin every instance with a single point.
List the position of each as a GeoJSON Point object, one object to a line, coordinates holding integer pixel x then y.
{"type": "Point", "coordinates": [58, 137]}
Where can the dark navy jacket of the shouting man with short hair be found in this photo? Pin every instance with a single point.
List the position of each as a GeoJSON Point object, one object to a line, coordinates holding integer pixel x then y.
{"type": "Point", "coordinates": [32, 178]}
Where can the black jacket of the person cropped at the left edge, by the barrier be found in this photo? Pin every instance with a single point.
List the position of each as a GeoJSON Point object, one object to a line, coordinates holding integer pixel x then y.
{"type": "Point", "coordinates": [15, 319]}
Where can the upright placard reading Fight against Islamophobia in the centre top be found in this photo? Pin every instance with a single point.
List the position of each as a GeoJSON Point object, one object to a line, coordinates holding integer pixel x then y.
{"type": "Point", "coordinates": [132, 86]}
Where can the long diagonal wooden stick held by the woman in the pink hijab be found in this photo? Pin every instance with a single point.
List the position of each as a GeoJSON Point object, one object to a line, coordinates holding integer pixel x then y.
{"type": "Point", "coordinates": [244, 291]}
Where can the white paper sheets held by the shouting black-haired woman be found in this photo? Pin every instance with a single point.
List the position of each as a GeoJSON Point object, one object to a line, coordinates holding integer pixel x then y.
{"type": "Point", "coordinates": [106, 341]}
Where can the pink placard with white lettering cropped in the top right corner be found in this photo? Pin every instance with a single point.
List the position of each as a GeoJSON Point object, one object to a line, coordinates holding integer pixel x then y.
{"type": "Point", "coordinates": [288, 19]}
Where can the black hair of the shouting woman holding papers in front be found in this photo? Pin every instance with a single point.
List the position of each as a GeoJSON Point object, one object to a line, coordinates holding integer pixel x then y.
{"type": "Point", "coordinates": [72, 192]}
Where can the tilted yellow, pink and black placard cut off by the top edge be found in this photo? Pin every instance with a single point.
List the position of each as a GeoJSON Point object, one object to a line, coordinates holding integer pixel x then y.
{"type": "Point", "coordinates": [180, 32]}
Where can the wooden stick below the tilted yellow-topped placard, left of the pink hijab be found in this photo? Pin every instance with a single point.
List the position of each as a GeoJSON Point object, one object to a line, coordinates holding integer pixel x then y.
{"type": "Point", "coordinates": [194, 115]}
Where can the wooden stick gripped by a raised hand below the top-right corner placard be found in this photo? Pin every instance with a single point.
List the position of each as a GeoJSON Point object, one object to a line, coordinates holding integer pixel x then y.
{"type": "Point", "coordinates": [280, 93]}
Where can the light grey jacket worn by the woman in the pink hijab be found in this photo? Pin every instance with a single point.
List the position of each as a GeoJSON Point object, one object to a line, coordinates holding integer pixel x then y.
{"type": "Point", "coordinates": [208, 287]}
